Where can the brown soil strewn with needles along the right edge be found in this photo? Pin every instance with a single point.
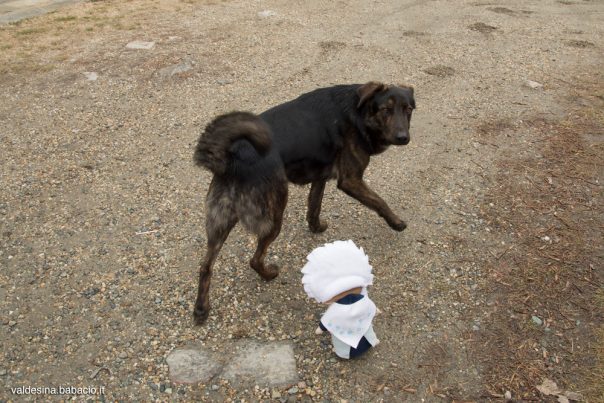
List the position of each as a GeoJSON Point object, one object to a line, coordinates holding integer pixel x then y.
{"type": "Point", "coordinates": [547, 285]}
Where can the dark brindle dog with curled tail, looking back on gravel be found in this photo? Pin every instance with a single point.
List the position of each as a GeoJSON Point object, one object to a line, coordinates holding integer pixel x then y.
{"type": "Point", "coordinates": [324, 134]}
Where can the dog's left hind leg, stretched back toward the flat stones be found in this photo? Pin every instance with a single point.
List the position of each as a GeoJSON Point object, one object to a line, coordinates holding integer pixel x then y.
{"type": "Point", "coordinates": [219, 223]}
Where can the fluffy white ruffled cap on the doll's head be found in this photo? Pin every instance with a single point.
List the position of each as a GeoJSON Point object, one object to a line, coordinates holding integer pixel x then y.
{"type": "Point", "coordinates": [334, 268]}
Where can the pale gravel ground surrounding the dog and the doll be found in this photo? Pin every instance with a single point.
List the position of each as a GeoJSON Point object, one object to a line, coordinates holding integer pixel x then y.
{"type": "Point", "coordinates": [102, 209]}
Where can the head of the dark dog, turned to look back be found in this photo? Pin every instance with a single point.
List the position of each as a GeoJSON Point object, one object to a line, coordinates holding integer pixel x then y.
{"type": "Point", "coordinates": [386, 112]}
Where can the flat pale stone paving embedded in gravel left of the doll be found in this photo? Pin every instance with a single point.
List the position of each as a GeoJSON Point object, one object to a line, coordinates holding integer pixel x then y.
{"type": "Point", "coordinates": [243, 363]}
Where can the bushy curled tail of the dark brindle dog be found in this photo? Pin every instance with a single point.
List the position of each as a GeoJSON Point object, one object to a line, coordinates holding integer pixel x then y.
{"type": "Point", "coordinates": [213, 147]}
